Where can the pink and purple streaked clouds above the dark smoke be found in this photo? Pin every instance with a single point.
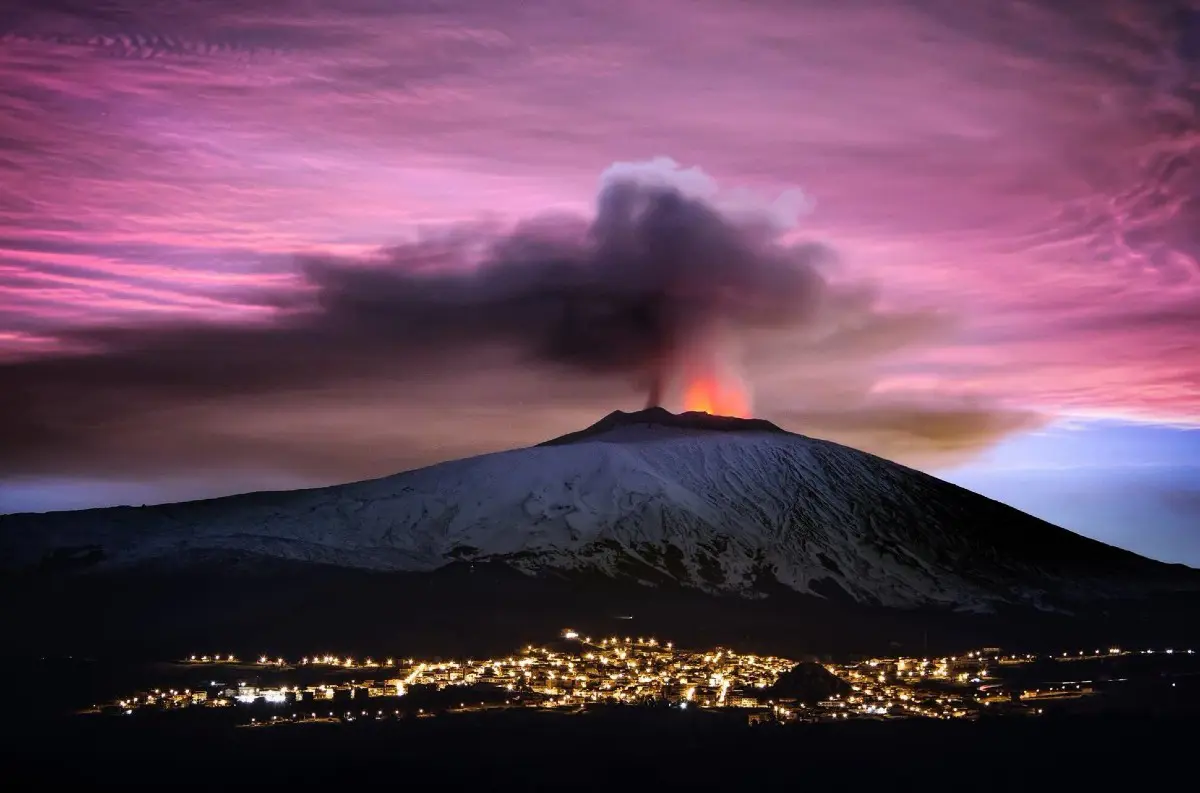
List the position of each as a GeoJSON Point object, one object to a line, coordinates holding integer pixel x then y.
{"type": "Point", "coordinates": [1024, 169]}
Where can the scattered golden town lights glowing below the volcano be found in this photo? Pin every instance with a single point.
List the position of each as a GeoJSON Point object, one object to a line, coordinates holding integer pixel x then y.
{"type": "Point", "coordinates": [634, 670]}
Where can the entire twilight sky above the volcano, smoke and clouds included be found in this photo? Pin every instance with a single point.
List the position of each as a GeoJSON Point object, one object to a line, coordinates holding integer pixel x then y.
{"type": "Point", "coordinates": [289, 243]}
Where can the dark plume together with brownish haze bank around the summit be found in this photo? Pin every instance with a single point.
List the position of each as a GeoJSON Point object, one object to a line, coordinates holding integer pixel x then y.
{"type": "Point", "coordinates": [609, 310]}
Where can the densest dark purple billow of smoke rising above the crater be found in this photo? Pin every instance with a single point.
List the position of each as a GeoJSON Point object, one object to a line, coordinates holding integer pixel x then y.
{"type": "Point", "coordinates": [623, 297]}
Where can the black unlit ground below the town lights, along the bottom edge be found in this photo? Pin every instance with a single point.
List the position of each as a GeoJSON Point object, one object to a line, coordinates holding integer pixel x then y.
{"type": "Point", "coordinates": [622, 750]}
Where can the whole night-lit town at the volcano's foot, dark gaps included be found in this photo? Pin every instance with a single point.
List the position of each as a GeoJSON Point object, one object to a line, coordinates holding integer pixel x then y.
{"type": "Point", "coordinates": [580, 674]}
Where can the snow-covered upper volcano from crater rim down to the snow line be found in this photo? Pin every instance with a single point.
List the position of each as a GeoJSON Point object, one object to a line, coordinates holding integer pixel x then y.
{"type": "Point", "coordinates": [713, 503]}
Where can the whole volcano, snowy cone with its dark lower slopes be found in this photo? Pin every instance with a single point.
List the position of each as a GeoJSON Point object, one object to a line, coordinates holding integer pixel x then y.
{"type": "Point", "coordinates": [730, 516]}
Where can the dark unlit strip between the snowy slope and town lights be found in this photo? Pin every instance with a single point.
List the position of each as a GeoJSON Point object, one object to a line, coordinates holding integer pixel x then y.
{"type": "Point", "coordinates": [479, 609]}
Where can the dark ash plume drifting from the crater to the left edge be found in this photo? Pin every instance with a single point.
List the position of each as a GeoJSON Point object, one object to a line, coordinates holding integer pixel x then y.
{"type": "Point", "coordinates": [620, 301]}
